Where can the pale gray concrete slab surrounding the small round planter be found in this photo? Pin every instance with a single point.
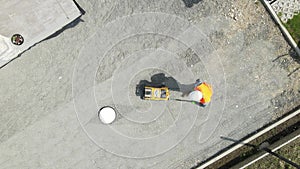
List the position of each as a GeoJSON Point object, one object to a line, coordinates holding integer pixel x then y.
{"type": "Point", "coordinates": [35, 20]}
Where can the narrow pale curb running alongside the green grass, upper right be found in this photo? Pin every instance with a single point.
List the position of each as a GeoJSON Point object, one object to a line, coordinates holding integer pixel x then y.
{"type": "Point", "coordinates": [284, 31]}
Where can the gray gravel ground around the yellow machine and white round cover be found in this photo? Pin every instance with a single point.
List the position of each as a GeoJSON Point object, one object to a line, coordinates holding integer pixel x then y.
{"type": "Point", "coordinates": [50, 95]}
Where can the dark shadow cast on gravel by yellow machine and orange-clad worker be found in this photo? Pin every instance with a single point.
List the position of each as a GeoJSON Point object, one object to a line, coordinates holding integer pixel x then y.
{"type": "Point", "coordinates": [160, 80]}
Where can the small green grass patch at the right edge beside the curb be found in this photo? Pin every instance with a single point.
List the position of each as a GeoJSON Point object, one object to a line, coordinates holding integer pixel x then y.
{"type": "Point", "coordinates": [293, 26]}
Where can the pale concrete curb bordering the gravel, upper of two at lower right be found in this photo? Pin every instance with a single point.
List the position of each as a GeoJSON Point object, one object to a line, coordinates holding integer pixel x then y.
{"type": "Point", "coordinates": [258, 134]}
